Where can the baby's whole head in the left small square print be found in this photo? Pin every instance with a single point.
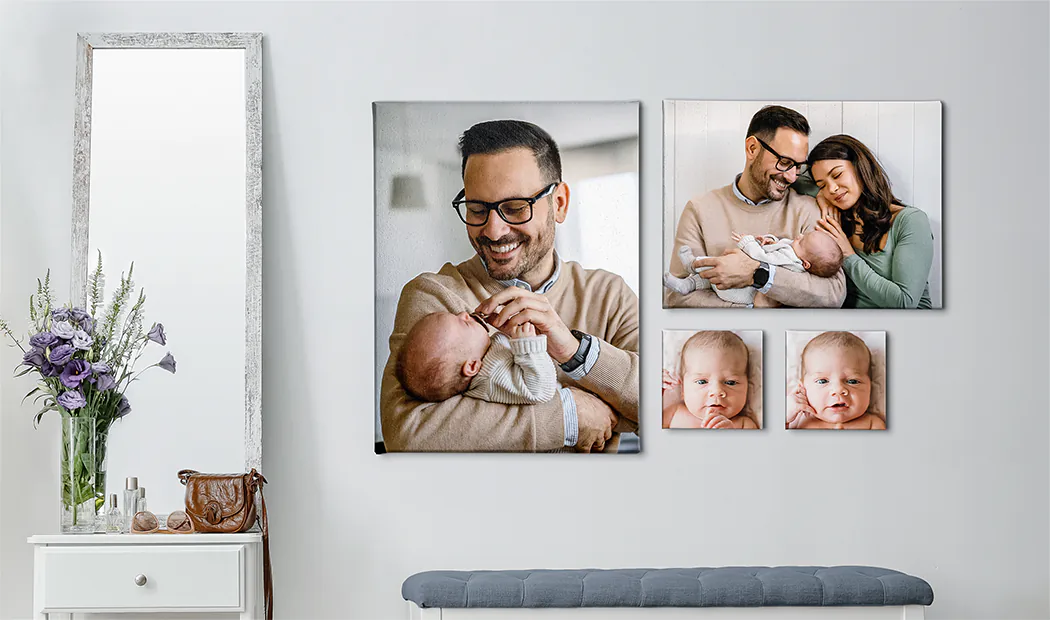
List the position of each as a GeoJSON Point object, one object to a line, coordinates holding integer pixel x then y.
{"type": "Point", "coordinates": [715, 375]}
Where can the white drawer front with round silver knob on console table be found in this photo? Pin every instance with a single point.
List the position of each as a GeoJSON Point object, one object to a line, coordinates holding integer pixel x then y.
{"type": "Point", "coordinates": [205, 577]}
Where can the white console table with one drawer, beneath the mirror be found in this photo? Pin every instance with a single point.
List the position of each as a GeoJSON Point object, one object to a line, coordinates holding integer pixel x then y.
{"type": "Point", "coordinates": [203, 574]}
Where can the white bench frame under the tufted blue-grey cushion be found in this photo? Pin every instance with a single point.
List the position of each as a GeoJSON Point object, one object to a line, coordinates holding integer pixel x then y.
{"type": "Point", "coordinates": [881, 613]}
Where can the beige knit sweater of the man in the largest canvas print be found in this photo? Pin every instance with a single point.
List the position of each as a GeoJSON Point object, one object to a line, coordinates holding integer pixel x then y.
{"type": "Point", "coordinates": [592, 301]}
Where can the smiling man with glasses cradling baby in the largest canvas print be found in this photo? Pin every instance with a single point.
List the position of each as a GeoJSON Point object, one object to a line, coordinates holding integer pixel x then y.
{"type": "Point", "coordinates": [512, 201]}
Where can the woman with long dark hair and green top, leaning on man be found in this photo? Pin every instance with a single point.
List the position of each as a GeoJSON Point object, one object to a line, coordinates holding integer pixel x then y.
{"type": "Point", "coordinates": [888, 246]}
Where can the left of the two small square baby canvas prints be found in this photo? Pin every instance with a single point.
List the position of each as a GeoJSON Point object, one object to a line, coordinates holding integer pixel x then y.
{"type": "Point", "coordinates": [712, 380]}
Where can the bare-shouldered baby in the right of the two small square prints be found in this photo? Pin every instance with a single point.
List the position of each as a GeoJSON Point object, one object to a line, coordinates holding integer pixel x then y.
{"type": "Point", "coordinates": [836, 386]}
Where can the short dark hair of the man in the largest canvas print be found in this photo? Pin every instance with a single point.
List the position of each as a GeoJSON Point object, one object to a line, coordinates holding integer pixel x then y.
{"type": "Point", "coordinates": [498, 136]}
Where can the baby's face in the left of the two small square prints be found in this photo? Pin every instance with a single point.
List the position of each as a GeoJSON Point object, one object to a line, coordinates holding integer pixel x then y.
{"type": "Point", "coordinates": [715, 382]}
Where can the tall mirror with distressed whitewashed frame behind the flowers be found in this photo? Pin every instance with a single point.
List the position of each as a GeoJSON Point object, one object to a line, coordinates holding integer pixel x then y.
{"type": "Point", "coordinates": [167, 175]}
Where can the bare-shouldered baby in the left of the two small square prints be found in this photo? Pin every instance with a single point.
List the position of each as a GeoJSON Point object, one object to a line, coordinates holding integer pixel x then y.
{"type": "Point", "coordinates": [715, 384]}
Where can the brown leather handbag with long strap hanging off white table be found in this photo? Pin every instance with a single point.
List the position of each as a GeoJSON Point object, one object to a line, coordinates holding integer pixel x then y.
{"type": "Point", "coordinates": [226, 504]}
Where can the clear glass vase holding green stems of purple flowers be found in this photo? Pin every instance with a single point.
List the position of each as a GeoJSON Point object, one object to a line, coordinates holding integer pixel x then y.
{"type": "Point", "coordinates": [77, 473]}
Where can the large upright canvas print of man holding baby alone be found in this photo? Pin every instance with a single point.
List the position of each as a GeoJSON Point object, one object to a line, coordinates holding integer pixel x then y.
{"type": "Point", "coordinates": [507, 277]}
